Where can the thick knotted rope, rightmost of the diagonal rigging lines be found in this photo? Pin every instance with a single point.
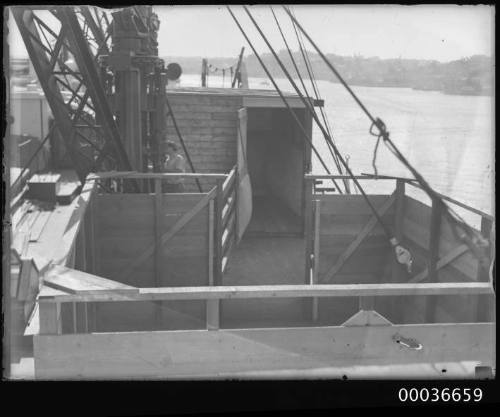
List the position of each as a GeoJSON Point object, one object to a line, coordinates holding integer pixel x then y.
{"type": "Point", "coordinates": [474, 240]}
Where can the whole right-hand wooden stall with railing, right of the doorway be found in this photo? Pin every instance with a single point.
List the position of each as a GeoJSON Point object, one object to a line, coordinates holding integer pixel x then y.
{"type": "Point", "coordinates": [346, 244]}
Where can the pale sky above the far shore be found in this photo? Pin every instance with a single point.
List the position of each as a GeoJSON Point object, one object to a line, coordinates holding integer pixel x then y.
{"type": "Point", "coordinates": [437, 32]}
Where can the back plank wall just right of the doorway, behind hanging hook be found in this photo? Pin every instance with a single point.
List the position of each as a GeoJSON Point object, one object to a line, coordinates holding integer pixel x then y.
{"type": "Point", "coordinates": [348, 249]}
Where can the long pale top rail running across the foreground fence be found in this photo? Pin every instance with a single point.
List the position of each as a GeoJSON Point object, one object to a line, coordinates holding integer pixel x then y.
{"type": "Point", "coordinates": [272, 291]}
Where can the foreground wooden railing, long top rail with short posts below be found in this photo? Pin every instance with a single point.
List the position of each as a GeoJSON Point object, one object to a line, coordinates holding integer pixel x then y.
{"type": "Point", "coordinates": [51, 300]}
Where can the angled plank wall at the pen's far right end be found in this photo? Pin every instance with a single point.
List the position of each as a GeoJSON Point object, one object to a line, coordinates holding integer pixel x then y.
{"type": "Point", "coordinates": [430, 237]}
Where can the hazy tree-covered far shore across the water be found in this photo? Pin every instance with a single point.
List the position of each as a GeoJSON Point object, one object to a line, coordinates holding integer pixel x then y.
{"type": "Point", "coordinates": [470, 76]}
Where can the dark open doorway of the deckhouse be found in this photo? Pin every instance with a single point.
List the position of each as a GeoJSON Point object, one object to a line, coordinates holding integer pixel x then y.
{"type": "Point", "coordinates": [276, 165]}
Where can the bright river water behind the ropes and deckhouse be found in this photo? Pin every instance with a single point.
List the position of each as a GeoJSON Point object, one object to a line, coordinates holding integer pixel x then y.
{"type": "Point", "coordinates": [448, 138]}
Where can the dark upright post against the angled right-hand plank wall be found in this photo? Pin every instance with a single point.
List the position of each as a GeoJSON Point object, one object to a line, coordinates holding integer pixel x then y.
{"type": "Point", "coordinates": [435, 234]}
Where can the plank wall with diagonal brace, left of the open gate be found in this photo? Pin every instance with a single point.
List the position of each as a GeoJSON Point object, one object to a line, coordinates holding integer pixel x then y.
{"type": "Point", "coordinates": [126, 227]}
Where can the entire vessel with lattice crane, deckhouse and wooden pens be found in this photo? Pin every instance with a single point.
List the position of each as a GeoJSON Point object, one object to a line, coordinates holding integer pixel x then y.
{"type": "Point", "coordinates": [260, 269]}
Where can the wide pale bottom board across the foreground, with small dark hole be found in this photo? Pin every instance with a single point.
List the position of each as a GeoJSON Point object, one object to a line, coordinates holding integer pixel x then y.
{"type": "Point", "coordinates": [325, 351]}
